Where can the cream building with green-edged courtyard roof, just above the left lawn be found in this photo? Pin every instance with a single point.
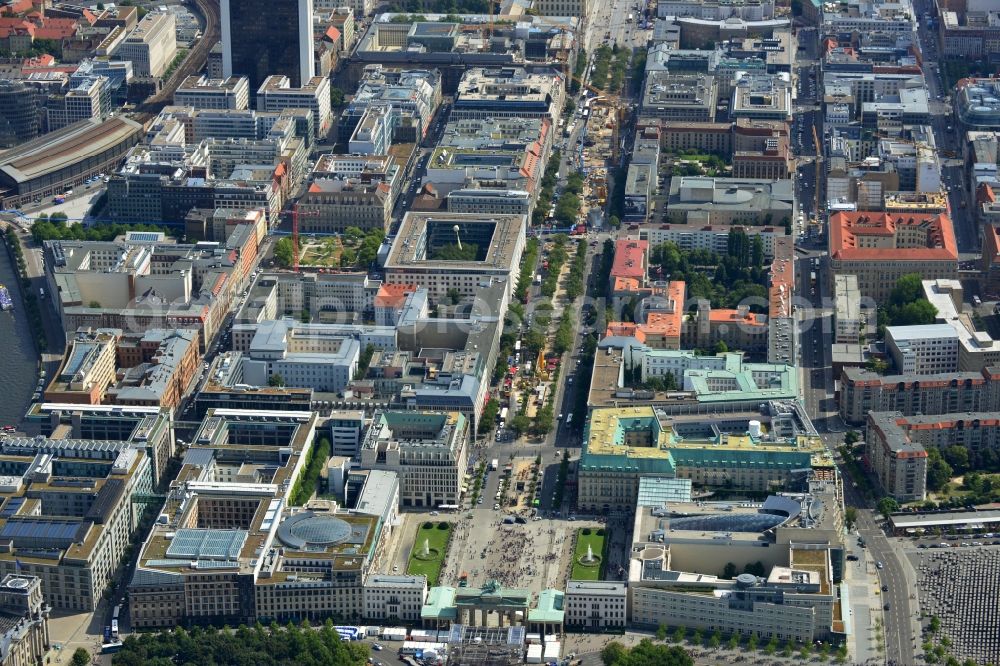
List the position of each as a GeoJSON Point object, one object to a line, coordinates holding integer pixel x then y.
{"type": "Point", "coordinates": [427, 450]}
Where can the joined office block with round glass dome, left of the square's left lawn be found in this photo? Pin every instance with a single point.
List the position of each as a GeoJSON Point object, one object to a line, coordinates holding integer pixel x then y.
{"type": "Point", "coordinates": [229, 513]}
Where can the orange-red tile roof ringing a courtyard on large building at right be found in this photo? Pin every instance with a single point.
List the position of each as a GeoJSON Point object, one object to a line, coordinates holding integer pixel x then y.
{"type": "Point", "coordinates": [848, 228]}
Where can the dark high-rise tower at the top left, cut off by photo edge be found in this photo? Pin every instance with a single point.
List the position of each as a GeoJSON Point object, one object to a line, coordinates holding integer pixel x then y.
{"type": "Point", "coordinates": [262, 38]}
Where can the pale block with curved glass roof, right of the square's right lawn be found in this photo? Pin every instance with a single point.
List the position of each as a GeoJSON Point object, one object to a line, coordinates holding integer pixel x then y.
{"type": "Point", "coordinates": [677, 577]}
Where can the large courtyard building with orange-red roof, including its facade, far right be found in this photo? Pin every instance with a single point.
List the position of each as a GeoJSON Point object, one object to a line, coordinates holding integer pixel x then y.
{"type": "Point", "coordinates": [880, 248]}
